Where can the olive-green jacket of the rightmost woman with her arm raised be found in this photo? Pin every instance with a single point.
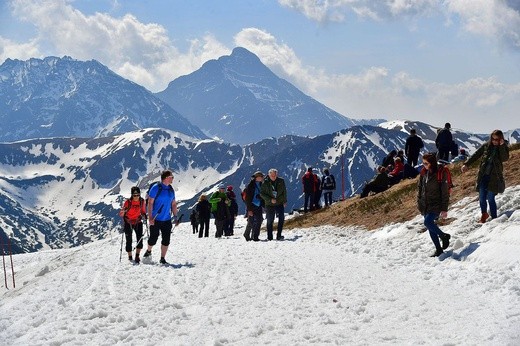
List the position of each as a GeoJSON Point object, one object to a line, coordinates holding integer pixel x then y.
{"type": "Point", "coordinates": [491, 164]}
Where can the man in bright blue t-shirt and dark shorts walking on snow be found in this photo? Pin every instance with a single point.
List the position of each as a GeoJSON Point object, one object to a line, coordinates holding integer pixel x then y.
{"type": "Point", "coordinates": [161, 206]}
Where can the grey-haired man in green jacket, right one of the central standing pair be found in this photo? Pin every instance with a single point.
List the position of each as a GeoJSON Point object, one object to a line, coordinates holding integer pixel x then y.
{"type": "Point", "coordinates": [274, 194]}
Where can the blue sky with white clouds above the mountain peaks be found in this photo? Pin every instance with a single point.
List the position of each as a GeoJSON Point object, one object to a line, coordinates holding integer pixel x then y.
{"type": "Point", "coordinates": [426, 60]}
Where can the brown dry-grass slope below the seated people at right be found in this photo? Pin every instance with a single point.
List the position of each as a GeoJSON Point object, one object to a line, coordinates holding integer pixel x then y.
{"type": "Point", "coordinates": [398, 203]}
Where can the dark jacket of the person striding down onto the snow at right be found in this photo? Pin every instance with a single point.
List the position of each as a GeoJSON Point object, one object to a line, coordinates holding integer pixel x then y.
{"type": "Point", "coordinates": [433, 195]}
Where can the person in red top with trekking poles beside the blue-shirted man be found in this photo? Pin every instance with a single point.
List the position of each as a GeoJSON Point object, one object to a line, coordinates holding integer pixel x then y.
{"type": "Point", "coordinates": [132, 212]}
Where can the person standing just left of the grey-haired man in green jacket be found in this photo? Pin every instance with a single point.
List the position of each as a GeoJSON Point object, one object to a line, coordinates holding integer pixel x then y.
{"type": "Point", "coordinates": [254, 204]}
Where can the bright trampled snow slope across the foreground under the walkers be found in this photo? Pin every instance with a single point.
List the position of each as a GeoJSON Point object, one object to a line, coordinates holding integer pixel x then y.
{"type": "Point", "coordinates": [324, 285]}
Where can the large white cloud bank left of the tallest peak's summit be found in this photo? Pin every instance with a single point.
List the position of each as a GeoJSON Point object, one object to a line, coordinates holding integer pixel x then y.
{"type": "Point", "coordinates": [140, 52]}
